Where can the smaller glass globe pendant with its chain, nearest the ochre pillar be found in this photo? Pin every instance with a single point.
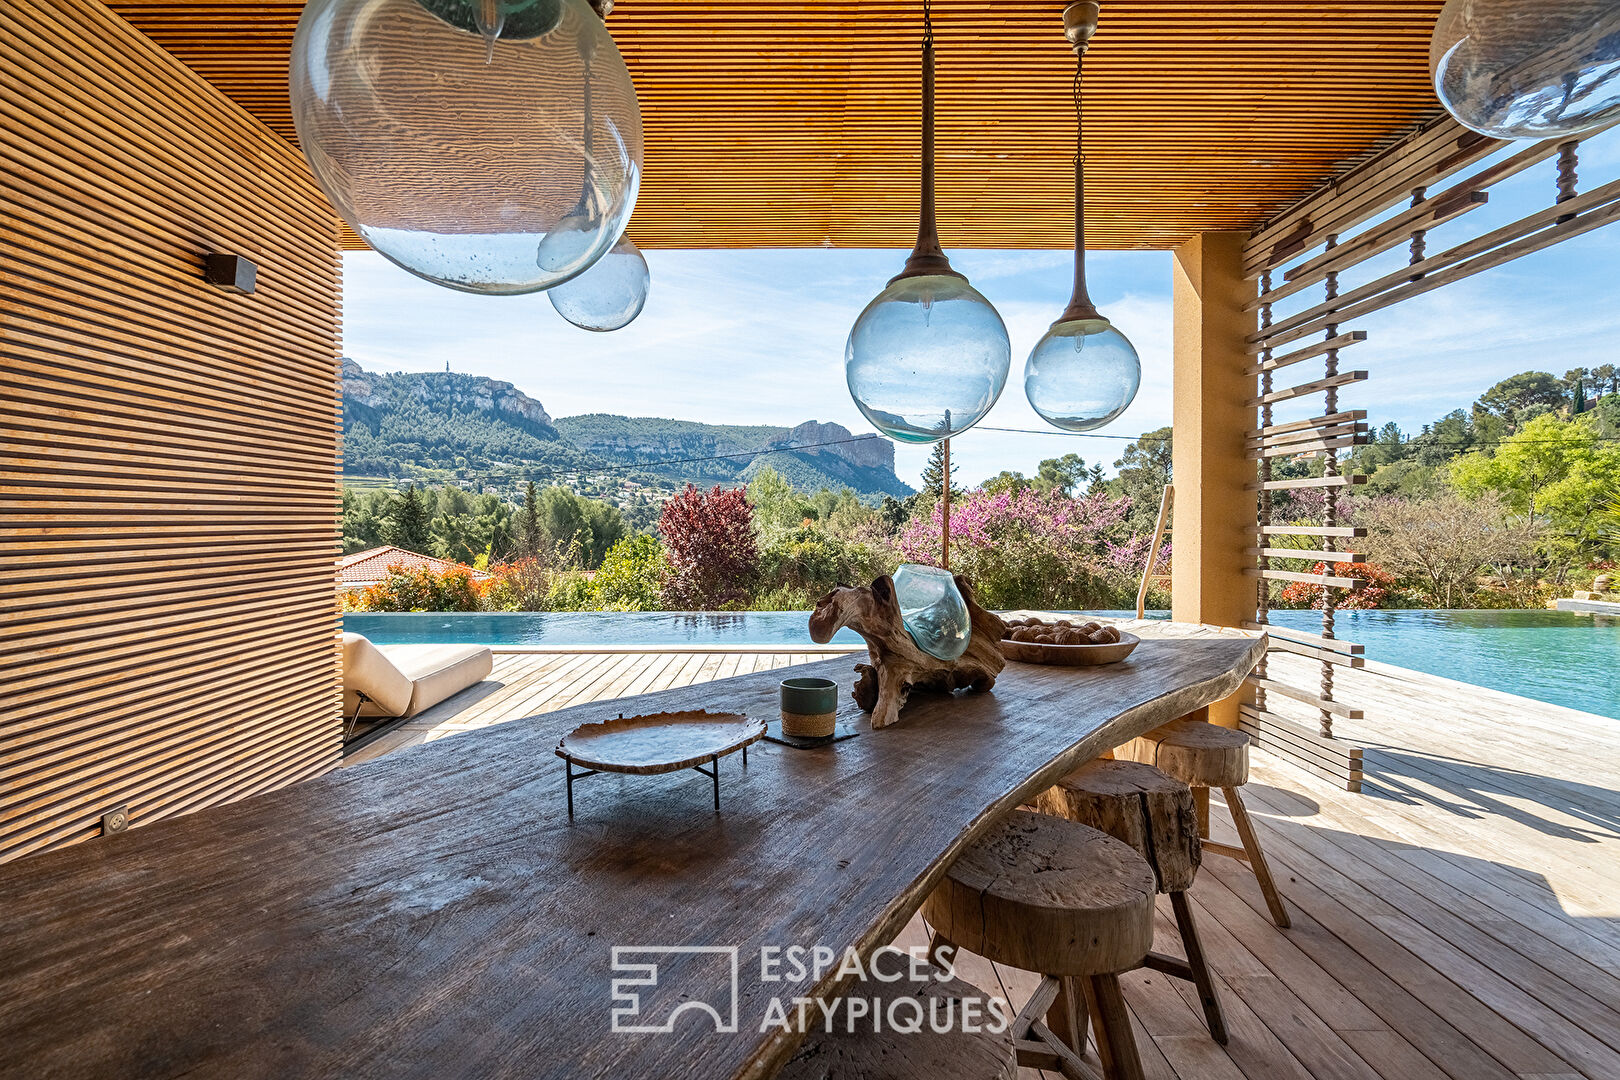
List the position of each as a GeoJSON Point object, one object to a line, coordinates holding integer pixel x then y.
{"type": "Point", "coordinates": [1083, 373]}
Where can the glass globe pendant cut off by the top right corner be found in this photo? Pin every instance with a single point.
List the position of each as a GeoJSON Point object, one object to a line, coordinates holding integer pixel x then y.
{"type": "Point", "coordinates": [1528, 69]}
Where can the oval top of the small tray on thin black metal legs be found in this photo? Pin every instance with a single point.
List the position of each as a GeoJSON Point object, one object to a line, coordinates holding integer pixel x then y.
{"type": "Point", "coordinates": [660, 742]}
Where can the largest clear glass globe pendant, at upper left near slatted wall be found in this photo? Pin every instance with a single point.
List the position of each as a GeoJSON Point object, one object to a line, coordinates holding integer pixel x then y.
{"type": "Point", "coordinates": [448, 134]}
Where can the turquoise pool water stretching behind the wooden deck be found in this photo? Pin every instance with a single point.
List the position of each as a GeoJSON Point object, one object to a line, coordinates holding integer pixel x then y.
{"type": "Point", "coordinates": [1564, 658]}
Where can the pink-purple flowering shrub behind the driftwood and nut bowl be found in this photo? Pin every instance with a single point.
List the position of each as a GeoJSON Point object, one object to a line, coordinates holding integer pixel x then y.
{"type": "Point", "coordinates": [1044, 551]}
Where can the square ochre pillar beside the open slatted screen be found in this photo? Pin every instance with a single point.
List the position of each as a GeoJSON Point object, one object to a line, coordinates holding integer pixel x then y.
{"type": "Point", "coordinates": [1214, 511]}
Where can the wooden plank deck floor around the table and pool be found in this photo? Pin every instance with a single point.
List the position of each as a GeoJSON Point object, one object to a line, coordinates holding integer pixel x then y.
{"type": "Point", "coordinates": [1459, 919]}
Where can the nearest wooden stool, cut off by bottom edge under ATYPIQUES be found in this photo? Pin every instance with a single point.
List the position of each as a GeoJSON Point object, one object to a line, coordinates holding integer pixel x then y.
{"type": "Point", "coordinates": [876, 1052]}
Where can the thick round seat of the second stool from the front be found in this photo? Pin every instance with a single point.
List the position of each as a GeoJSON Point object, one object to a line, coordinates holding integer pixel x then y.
{"type": "Point", "coordinates": [1049, 896]}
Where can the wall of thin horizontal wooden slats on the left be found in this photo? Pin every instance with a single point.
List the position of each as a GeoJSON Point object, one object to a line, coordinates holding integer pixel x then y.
{"type": "Point", "coordinates": [169, 453]}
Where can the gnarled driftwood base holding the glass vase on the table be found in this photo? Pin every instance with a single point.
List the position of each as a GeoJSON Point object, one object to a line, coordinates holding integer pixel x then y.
{"type": "Point", "coordinates": [898, 666]}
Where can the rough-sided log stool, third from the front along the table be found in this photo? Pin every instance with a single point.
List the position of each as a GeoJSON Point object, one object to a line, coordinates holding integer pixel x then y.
{"type": "Point", "coordinates": [1156, 815]}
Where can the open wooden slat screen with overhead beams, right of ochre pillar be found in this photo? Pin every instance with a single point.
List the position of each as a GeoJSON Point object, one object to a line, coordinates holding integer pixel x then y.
{"type": "Point", "coordinates": [1438, 176]}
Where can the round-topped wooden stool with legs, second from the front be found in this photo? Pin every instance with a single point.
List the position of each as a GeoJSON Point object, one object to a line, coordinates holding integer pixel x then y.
{"type": "Point", "coordinates": [1068, 903]}
